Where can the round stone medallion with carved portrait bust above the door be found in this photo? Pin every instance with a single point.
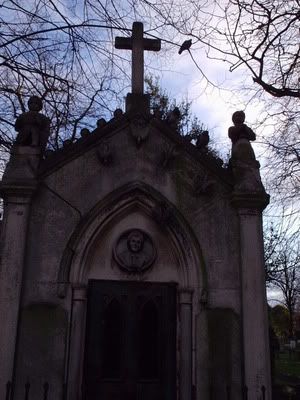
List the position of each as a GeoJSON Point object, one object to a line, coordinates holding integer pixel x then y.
{"type": "Point", "coordinates": [134, 251]}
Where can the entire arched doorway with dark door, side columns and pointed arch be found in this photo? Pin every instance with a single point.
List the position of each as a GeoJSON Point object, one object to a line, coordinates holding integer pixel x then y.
{"type": "Point", "coordinates": [179, 265]}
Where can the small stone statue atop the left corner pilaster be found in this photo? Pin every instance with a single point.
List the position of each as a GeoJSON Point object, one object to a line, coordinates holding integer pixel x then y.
{"type": "Point", "coordinates": [33, 127]}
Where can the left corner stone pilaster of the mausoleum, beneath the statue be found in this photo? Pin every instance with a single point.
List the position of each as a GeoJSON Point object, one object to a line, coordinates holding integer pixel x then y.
{"type": "Point", "coordinates": [16, 188]}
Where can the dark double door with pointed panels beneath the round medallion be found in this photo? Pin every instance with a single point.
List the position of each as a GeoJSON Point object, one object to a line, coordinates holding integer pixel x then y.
{"type": "Point", "coordinates": [130, 341]}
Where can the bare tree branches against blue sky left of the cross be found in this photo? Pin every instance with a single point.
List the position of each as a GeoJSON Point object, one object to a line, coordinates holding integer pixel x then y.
{"type": "Point", "coordinates": [63, 52]}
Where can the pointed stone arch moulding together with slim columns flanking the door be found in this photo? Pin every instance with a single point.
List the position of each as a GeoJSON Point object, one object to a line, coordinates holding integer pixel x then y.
{"type": "Point", "coordinates": [190, 270]}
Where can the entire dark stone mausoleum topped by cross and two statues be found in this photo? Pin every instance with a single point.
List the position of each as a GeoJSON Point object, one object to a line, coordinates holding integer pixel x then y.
{"type": "Point", "coordinates": [132, 261]}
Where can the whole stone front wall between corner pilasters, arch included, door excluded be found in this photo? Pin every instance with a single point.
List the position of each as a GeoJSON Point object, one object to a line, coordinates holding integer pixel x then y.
{"type": "Point", "coordinates": [85, 198]}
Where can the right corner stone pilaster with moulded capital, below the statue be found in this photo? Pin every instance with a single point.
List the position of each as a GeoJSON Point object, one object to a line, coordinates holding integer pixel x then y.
{"type": "Point", "coordinates": [254, 303]}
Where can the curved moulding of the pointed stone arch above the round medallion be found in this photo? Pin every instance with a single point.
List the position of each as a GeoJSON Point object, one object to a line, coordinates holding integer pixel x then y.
{"type": "Point", "coordinates": [135, 196]}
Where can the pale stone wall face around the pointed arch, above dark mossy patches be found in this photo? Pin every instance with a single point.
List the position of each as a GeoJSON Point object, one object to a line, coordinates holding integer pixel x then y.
{"type": "Point", "coordinates": [71, 191]}
